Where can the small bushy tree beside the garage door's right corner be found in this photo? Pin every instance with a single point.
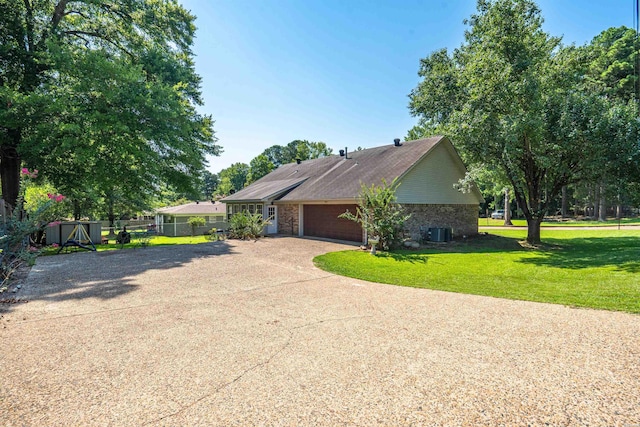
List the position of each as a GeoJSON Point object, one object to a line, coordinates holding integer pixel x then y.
{"type": "Point", "coordinates": [379, 214]}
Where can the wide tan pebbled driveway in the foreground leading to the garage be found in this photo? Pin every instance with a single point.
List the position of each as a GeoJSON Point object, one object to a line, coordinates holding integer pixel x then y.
{"type": "Point", "coordinates": [251, 333]}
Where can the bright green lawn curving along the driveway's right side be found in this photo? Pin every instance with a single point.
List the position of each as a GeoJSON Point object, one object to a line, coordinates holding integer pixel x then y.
{"type": "Point", "coordinates": [584, 268]}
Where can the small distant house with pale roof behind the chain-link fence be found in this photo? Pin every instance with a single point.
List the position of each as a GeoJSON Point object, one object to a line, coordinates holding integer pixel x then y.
{"type": "Point", "coordinates": [172, 221]}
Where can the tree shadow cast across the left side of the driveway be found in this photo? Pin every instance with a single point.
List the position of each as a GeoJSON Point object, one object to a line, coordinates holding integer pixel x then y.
{"type": "Point", "coordinates": [106, 275]}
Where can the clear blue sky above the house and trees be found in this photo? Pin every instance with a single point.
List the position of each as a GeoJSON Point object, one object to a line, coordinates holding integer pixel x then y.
{"type": "Point", "coordinates": [338, 71]}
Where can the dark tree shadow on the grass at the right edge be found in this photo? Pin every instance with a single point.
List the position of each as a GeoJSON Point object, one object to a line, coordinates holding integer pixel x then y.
{"type": "Point", "coordinates": [620, 252]}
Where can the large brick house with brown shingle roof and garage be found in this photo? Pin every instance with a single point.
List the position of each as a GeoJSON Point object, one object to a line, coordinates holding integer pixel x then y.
{"type": "Point", "coordinates": [305, 198]}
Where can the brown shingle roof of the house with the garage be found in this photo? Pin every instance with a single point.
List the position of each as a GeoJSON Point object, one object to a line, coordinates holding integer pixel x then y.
{"type": "Point", "coordinates": [334, 177]}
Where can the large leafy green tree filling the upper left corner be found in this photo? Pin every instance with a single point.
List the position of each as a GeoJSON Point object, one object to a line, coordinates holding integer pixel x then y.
{"type": "Point", "coordinates": [101, 95]}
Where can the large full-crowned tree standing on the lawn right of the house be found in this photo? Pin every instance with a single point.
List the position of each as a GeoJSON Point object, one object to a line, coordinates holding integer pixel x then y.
{"type": "Point", "coordinates": [511, 98]}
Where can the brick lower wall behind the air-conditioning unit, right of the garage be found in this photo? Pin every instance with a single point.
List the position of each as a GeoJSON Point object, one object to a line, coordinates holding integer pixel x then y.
{"type": "Point", "coordinates": [462, 219]}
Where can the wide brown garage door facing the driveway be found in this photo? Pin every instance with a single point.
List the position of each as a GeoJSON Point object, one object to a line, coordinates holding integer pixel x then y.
{"type": "Point", "coordinates": [323, 221]}
